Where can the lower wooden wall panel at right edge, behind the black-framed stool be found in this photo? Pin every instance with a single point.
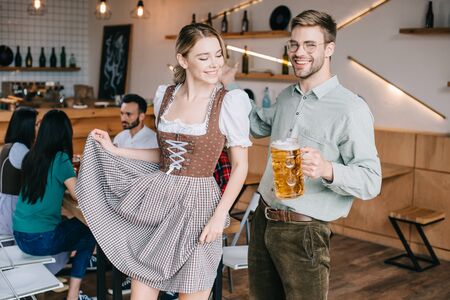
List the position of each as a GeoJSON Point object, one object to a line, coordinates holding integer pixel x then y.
{"type": "Point", "coordinates": [431, 190]}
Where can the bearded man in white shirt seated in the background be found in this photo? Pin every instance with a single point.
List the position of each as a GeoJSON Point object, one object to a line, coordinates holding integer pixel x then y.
{"type": "Point", "coordinates": [135, 134]}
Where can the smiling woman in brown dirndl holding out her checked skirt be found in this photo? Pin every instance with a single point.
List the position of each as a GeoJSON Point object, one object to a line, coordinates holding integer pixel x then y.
{"type": "Point", "coordinates": [163, 226]}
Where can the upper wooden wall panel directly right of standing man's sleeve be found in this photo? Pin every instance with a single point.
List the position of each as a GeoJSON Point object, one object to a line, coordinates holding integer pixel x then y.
{"type": "Point", "coordinates": [396, 147]}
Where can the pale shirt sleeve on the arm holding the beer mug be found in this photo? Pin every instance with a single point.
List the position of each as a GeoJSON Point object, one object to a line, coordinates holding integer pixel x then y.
{"type": "Point", "coordinates": [359, 174]}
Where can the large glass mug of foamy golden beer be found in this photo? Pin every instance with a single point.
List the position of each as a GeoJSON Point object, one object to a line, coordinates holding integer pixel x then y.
{"type": "Point", "coordinates": [287, 168]}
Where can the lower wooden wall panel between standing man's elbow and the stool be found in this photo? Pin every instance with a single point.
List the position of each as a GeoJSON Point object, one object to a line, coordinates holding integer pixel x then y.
{"type": "Point", "coordinates": [372, 215]}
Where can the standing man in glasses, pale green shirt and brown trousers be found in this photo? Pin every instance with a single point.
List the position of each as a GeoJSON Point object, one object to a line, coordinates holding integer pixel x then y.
{"type": "Point", "coordinates": [289, 251]}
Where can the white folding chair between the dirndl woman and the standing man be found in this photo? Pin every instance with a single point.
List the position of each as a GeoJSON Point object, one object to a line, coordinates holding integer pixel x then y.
{"type": "Point", "coordinates": [235, 257]}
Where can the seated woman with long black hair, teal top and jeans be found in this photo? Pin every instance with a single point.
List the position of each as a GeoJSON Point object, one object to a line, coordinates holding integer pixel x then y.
{"type": "Point", "coordinates": [47, 173]}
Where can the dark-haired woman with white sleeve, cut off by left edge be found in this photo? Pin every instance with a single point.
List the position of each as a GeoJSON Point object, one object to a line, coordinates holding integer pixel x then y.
{"type": "Point", "coordinates": [18, 140]}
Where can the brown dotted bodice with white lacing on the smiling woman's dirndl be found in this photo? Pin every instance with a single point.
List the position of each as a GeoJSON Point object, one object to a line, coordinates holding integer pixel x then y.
{"type": "Point", "coordinates": [200, 153]}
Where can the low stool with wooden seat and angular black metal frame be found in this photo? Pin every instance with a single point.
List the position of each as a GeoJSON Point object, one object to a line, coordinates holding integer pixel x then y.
{"type": "Point", "coordinates": [419, 217]}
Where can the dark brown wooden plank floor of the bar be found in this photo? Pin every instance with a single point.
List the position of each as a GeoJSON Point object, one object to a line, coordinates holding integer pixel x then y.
{"type": "Point", "coordinates": [357, 272]}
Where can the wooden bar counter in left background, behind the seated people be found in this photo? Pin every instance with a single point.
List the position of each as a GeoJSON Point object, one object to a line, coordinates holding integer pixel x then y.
{"type": "Point", "coordinates": [83, 121]}
